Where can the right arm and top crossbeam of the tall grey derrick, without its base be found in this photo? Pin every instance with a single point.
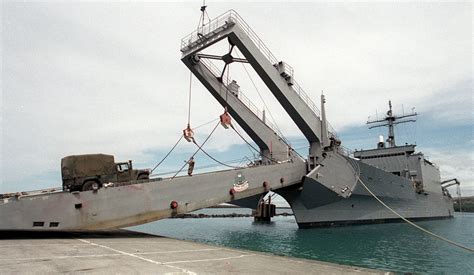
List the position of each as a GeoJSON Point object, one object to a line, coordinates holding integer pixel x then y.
{"type": "Point", "coordinates": [277, 75]}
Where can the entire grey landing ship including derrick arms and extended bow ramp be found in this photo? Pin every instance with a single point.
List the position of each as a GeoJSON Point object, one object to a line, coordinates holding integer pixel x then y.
{"type": "Point", "coordinates": [330, 186]}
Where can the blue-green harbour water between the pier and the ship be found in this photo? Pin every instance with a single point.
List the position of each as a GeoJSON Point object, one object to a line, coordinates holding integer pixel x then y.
{"type": "Point", "coordinates": [393, 247]}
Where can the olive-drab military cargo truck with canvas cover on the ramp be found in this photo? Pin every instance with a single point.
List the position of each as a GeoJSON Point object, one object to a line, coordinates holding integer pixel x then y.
{"type": "Point", "coordinates": [92, 171]}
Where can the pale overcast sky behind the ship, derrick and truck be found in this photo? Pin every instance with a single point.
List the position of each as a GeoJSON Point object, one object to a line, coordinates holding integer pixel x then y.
{"type": "Point", "coordinates": [84, 77]}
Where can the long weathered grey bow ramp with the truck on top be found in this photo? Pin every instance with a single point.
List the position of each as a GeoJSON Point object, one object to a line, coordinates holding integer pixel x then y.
{"type": "Point", "coordinates": [138, 203]}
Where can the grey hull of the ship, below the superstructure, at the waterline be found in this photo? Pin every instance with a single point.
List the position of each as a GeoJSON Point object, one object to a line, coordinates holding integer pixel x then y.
{"type": "Point", "coordinates": [312, 208]}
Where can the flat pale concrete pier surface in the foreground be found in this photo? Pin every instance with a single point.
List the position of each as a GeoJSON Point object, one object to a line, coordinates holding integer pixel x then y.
{"type": "Point", "coordinates": [130, 252]}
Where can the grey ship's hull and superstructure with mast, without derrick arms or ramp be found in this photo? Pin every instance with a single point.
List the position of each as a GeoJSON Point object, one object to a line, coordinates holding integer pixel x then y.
{"type": "Point", "coordinates": [401, 177]}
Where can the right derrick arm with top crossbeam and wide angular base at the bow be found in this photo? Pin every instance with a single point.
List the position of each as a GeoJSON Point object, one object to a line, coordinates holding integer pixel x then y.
{"type": "Point", "coordinates": [325, 164]}
